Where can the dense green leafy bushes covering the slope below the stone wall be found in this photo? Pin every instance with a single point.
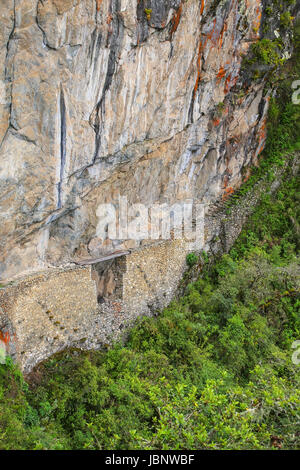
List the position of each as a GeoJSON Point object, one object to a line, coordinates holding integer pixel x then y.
{"type": "Point", "coordinates": [213, 371]}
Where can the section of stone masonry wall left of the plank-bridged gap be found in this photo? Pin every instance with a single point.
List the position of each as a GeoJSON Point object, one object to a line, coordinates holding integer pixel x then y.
{"type": "Point", "coordinates": [47, 312]}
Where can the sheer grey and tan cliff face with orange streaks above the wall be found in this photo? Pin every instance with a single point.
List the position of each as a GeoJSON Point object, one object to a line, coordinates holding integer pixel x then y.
{"type": "Point", "coordinates": [101, 98]}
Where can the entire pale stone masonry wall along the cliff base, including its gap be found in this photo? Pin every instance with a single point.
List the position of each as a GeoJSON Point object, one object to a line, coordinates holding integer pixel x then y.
{"type": "Point", "coordinates": [89, 307]}
